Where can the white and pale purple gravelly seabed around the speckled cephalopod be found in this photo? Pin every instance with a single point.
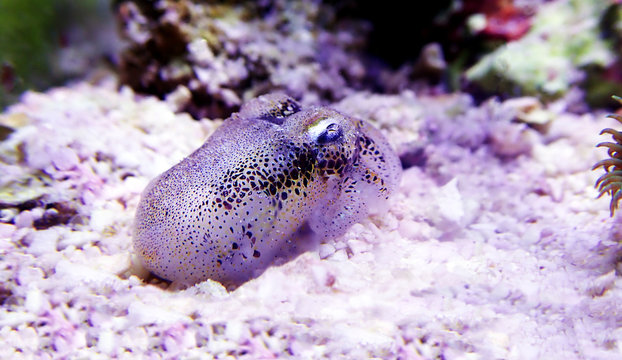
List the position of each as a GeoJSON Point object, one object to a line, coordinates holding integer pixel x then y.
{"type": "Point", "coordinates": [495, 248]}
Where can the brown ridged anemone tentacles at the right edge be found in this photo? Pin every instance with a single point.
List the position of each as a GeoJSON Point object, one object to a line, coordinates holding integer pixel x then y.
{"type": "Point", "coordinates": [611, 181]}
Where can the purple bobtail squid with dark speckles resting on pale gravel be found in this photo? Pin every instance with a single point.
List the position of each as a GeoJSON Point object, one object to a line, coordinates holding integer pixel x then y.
{"type": "Point", "coordinates": [233, 207]}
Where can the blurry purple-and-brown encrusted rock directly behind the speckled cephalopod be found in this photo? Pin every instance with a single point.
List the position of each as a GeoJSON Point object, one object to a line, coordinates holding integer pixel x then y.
{"type": "Point", "coordinates": [221, 54]}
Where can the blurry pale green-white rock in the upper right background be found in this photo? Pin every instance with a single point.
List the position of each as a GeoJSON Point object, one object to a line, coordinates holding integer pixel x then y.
{"type": "Point", "coordinates": [564, 37]}
